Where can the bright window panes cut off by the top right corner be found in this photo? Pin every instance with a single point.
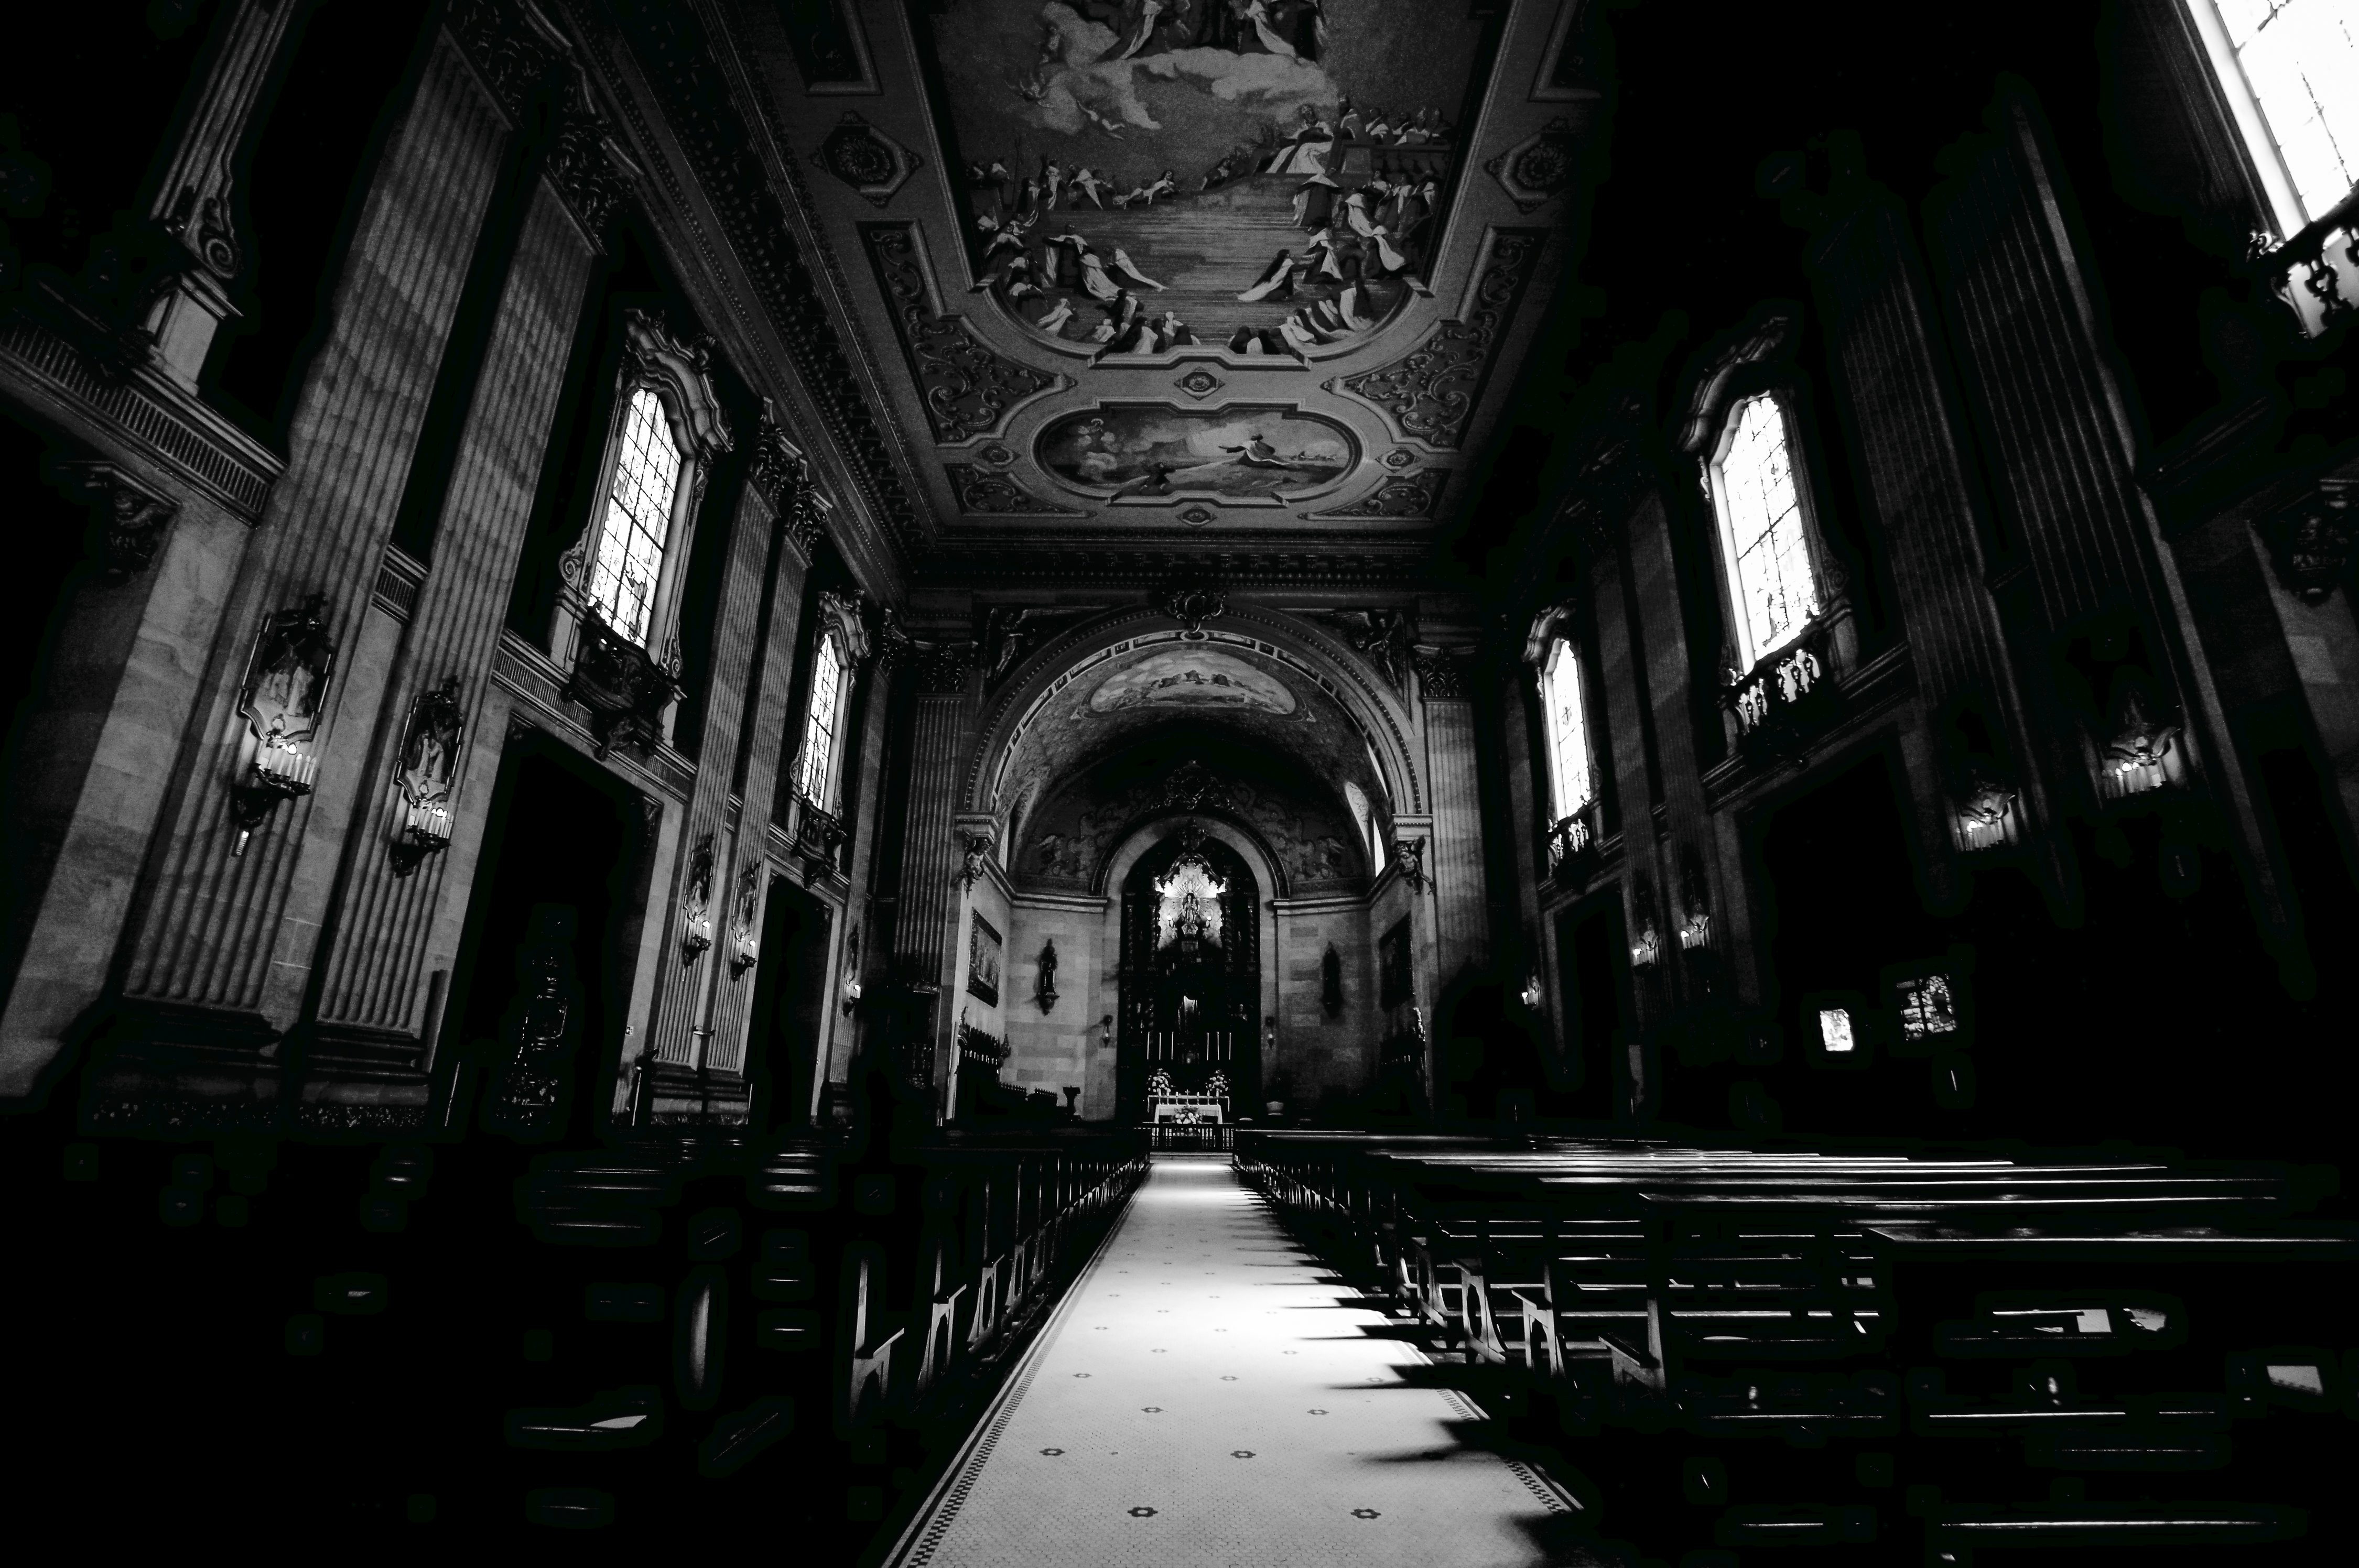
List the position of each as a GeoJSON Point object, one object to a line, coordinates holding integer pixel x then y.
{"type": "Point", "coordinates": [2301, 62]}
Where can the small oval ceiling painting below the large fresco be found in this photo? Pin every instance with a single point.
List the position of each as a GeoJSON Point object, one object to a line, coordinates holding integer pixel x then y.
{"type": "Point", "coordinates": [1171, 452]}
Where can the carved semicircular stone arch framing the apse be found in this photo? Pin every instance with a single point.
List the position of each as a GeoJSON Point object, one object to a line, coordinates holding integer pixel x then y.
{"type": "Point", "coordinates": [1046, 683]}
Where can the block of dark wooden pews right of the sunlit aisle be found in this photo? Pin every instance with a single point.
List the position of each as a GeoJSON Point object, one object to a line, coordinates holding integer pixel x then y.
{"type": "Point", "coordinates": [1759, 1352]}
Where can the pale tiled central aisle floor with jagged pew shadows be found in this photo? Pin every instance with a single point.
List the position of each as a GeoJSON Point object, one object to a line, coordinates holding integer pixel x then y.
{"type": "Point", "coordinates": [1207, 1399]}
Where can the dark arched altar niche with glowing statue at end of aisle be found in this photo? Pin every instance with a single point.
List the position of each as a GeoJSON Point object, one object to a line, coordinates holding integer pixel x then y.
{"type": "Point", "coordinates": [1190, 973]}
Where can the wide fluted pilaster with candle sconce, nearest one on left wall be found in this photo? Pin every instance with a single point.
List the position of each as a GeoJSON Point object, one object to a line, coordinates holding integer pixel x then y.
{"type": "Point", "coordinates": [228, 933]}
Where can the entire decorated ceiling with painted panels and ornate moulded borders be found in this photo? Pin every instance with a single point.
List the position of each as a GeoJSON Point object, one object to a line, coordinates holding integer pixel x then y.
{"type": "Point", "coordinates": [1318, 428]}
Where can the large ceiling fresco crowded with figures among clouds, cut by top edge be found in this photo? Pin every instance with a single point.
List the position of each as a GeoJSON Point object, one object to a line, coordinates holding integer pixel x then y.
{"type": "Point", "coordinates": [1148, 176]}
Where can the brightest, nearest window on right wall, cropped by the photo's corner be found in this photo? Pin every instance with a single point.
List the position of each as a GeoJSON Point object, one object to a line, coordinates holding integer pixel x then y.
{"type": "Point", "coordinates": [2289, 72]}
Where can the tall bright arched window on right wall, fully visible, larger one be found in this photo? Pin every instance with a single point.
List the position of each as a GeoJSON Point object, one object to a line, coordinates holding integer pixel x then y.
{"type": "Point", "coordinates": [1761, 520]}
